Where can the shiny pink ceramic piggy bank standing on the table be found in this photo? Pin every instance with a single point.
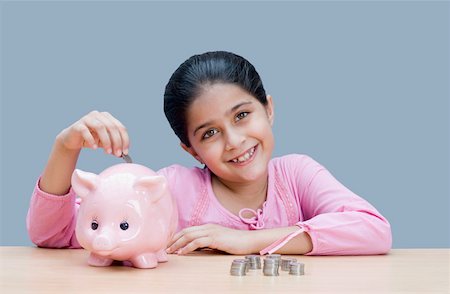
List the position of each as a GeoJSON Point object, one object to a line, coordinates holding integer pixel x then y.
{"type": "Point", "coordinates": [126, 213]}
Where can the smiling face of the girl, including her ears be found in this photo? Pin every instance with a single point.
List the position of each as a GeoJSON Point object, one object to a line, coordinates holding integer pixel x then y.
{"type": "Point", "coordinates": [231, 132]}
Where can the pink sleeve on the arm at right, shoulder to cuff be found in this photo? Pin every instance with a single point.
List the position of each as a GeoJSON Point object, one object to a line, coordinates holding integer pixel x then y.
{"type": "Point", "coordinates": [338, 221]}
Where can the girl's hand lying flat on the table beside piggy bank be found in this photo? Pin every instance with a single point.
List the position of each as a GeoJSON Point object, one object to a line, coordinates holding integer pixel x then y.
{"type": "Point", "coordinates": [212, 236]}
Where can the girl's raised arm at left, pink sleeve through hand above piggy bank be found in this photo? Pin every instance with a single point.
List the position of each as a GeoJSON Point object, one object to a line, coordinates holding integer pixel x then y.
{"type": "Point", "coordinates": [52, 214]}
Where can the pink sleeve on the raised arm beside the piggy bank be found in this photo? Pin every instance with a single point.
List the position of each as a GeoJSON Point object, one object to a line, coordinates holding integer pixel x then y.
{"type": "Point", "coordinates": [51, 219]}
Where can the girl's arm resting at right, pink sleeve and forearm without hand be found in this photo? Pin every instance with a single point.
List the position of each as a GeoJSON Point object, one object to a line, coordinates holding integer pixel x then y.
{"type": "Point", "coordinates": [334, 220]}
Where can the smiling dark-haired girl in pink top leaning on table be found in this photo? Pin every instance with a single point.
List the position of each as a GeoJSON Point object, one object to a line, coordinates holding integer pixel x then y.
{"type": "Point", "coordinates": [243, 201]}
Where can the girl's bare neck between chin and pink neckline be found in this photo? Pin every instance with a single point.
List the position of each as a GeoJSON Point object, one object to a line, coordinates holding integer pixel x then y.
{"type": "Point", "coordinates": [236, 196]}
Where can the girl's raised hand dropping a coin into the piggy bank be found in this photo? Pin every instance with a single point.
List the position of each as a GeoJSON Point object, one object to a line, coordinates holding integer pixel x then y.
{"type": "Point", "coordinates": [96, 130]}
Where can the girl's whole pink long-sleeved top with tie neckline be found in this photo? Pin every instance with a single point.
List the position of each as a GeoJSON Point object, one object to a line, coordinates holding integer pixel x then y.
{"type": "Point", "coordinates": [300, 192]}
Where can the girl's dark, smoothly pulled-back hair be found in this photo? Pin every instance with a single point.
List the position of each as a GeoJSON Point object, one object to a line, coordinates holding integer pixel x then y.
{"type": "Point", "coordinates": [201, 70]}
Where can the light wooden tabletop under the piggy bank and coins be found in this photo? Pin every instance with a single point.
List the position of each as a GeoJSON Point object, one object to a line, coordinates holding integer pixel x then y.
{"type": "Point", "coordinates": [38, 270]}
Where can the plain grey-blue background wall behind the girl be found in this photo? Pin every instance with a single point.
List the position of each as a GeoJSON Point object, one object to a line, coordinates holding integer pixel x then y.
{"type": "Point", "coordinates": [362, 87]}
